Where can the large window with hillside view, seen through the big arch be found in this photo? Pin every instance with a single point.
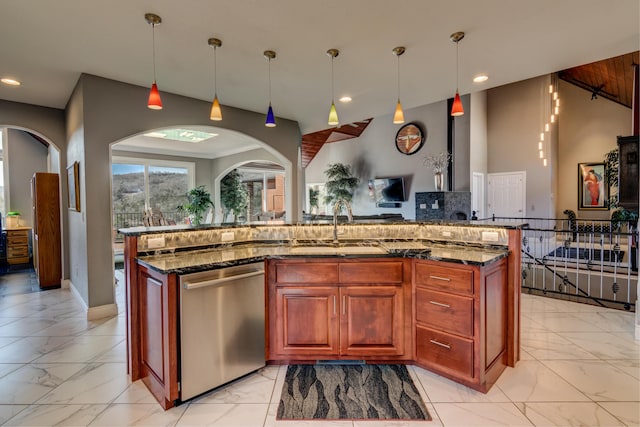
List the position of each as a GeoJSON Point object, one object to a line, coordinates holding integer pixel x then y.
{"type": "Point", "coordinates": [139, 184]}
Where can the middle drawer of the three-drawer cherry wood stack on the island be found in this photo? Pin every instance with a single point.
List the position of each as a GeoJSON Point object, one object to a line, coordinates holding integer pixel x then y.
{"type": "Point", "coordinates": [451, 313]}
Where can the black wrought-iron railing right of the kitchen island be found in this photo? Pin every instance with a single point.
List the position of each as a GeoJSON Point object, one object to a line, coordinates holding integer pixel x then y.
{"type": "Point", "coordinates": [591, 261]}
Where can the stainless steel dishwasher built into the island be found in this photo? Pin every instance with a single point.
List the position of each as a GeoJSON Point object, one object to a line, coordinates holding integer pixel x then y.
{"type": "Point", "coordinates": [221, 326]}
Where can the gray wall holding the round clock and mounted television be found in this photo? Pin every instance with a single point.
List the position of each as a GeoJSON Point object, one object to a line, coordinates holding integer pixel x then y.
{"type": "Point", "coordinates": [374, 155]}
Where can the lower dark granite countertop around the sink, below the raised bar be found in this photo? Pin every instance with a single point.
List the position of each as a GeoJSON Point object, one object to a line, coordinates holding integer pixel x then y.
{"type": "Point", "coordinates": [191, 261]}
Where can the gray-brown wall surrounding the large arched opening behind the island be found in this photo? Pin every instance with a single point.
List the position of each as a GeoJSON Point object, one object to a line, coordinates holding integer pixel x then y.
{"type": "Point", "coordinates": [106, 111]}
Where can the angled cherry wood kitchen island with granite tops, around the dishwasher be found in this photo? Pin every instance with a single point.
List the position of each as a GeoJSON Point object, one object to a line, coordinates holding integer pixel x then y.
{"type": "Point", "coordinates": [441, 295]}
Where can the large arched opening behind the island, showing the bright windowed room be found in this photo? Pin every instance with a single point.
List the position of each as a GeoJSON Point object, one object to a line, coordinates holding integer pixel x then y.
{"type": "Point", "coordinates": [152, 170]}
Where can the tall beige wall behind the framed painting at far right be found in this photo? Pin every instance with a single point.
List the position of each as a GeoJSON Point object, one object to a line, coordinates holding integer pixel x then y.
{"type": "Point", "coordinates": [588, 130]}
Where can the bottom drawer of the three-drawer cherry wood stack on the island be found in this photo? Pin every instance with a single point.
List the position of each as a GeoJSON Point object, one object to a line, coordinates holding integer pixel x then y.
{"type": "Point", "coordinates": [445, 351]}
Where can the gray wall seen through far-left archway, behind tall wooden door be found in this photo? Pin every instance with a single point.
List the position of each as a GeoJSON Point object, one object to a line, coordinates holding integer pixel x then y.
{"type": "Point", "coordinates": [25, 156]}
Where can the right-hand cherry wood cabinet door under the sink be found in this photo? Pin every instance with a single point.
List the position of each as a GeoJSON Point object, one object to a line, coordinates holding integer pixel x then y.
{"type": "Point", "coordinates": [372, 320]}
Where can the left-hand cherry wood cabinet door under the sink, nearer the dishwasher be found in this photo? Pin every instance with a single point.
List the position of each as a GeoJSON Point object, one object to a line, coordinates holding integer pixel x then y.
{"type": "Point", "coordinates": [307, 321]}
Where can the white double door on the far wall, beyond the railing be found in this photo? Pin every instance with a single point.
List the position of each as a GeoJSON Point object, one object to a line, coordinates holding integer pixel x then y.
{"type": "Point", "coordinates": [507, 194]}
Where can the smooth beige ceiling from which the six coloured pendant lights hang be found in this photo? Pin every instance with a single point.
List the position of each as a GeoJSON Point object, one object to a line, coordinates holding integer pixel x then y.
{"type": "Point", "coordinates": [47, 44]}
